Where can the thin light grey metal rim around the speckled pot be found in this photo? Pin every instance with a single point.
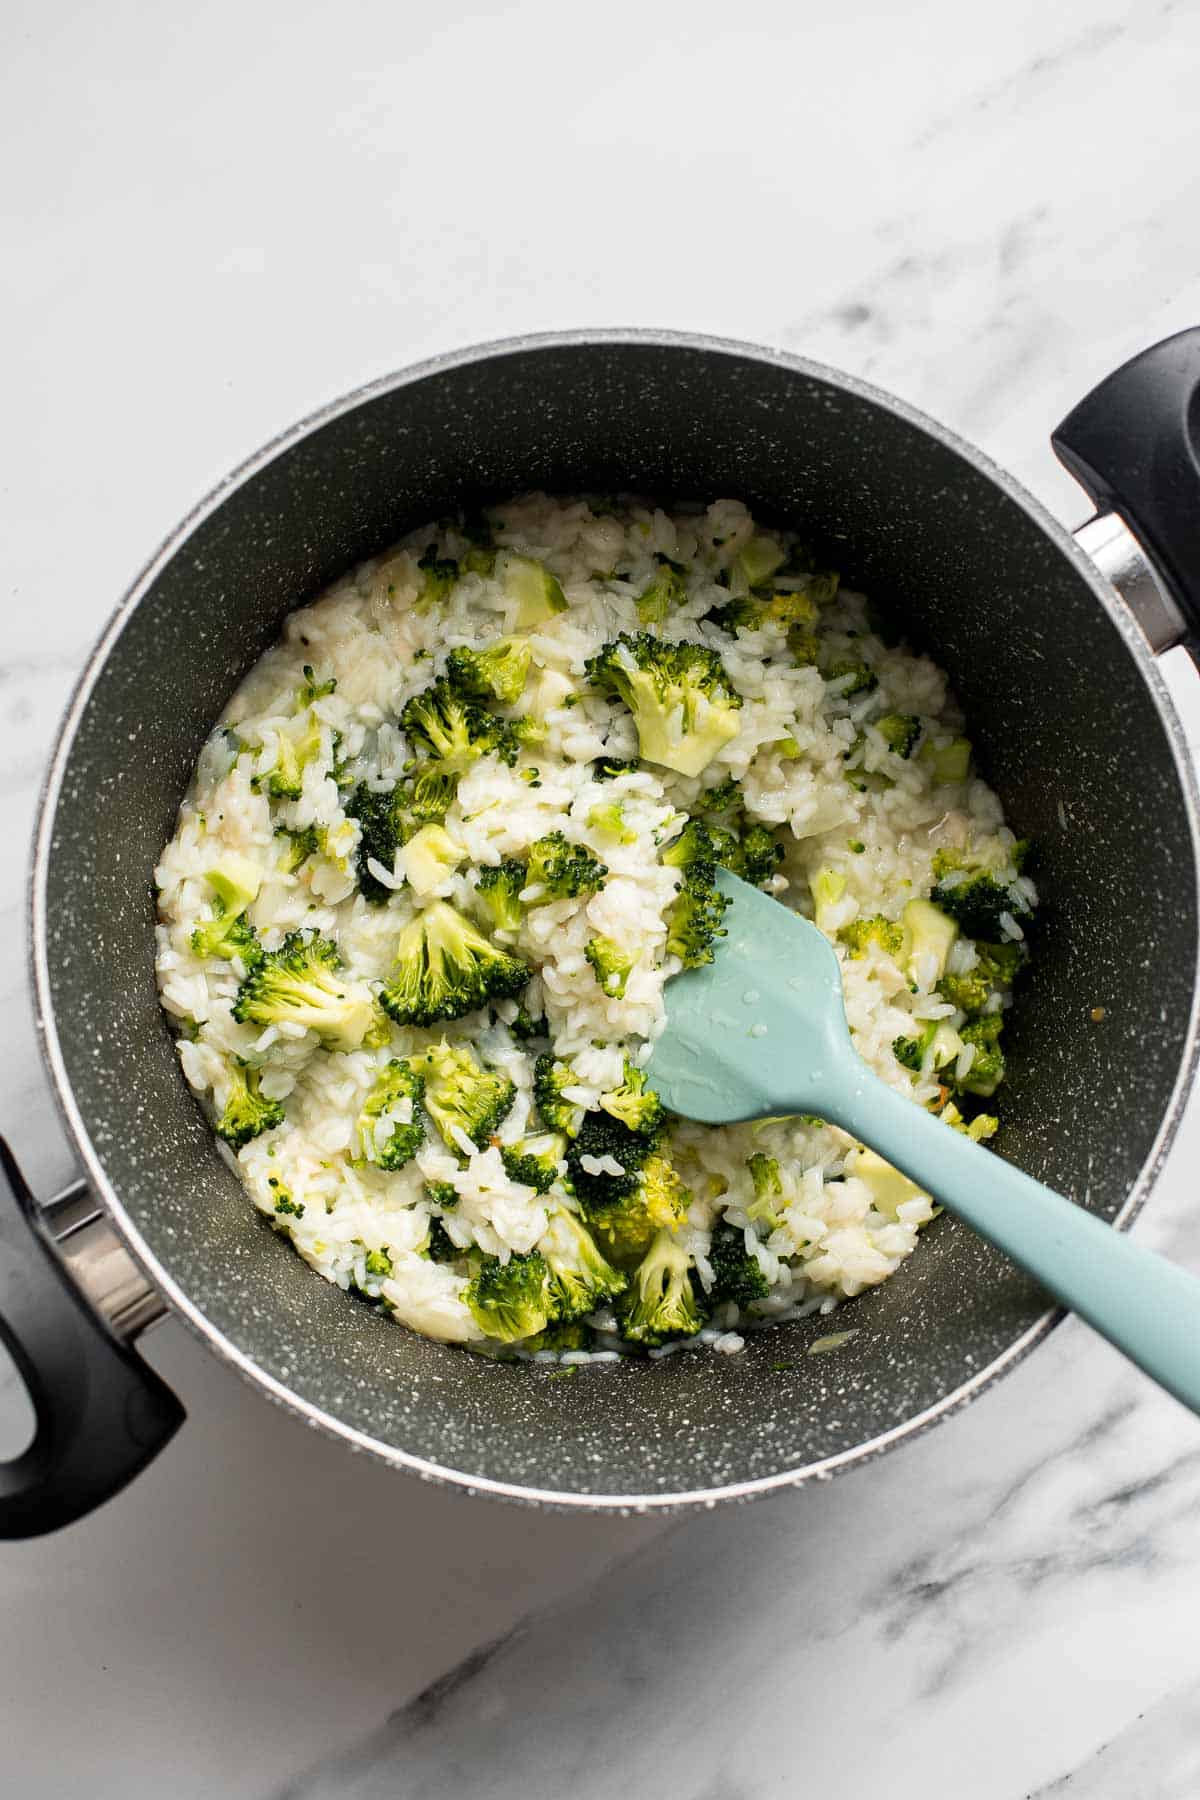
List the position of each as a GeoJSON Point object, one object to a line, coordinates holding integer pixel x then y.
{"type": "Point", "coordinates": [39, 942]}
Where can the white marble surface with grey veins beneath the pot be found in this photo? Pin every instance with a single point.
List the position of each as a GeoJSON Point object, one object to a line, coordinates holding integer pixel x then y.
{"type": "Point", "coordinates": [219, 217]}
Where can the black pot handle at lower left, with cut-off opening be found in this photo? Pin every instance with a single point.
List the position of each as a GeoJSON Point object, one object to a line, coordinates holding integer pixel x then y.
{"type": "Point", "coordinates": [102, 1410]}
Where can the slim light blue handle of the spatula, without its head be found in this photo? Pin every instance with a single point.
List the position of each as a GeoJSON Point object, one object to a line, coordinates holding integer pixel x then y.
{"type": "Point", "coordinates": [1140, 1302]}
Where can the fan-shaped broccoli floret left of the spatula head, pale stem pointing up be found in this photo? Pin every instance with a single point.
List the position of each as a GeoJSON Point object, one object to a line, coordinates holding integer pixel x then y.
{"type": "Point", "coordinates": [445, 969]}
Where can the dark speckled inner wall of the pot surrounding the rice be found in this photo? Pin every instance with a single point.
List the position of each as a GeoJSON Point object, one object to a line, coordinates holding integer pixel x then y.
{"type": "Point", "coordinates": [1068, 730]}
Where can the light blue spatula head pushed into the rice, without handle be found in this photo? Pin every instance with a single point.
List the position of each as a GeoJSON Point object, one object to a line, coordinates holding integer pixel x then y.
{"type": "Point", "coordinates": [762, 1030]}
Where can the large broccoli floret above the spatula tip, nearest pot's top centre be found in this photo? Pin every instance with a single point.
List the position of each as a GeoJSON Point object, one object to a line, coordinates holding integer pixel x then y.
{"type": "Point", "coordinates": [683, 701]}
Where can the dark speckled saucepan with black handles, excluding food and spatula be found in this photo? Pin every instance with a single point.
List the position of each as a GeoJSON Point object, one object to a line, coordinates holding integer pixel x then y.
{"type": "Point", "coordinates": [1052, 645]}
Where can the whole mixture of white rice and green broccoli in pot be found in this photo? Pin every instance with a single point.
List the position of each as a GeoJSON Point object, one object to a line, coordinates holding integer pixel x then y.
{"type": "Point", "coordinates": [451, 841]}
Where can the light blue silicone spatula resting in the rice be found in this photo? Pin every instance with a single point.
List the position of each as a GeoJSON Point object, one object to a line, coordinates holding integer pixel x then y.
{"type": "Point", "coordinates": [762, 1032]}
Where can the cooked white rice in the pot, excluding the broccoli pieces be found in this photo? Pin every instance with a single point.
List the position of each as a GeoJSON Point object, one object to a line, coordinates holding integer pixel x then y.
{"type": "Point", "coordinates": [800, 737]}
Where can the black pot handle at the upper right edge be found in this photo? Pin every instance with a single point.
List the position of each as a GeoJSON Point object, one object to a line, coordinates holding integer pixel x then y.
{"type": "Point", "coordinates": [1134, 445]}
